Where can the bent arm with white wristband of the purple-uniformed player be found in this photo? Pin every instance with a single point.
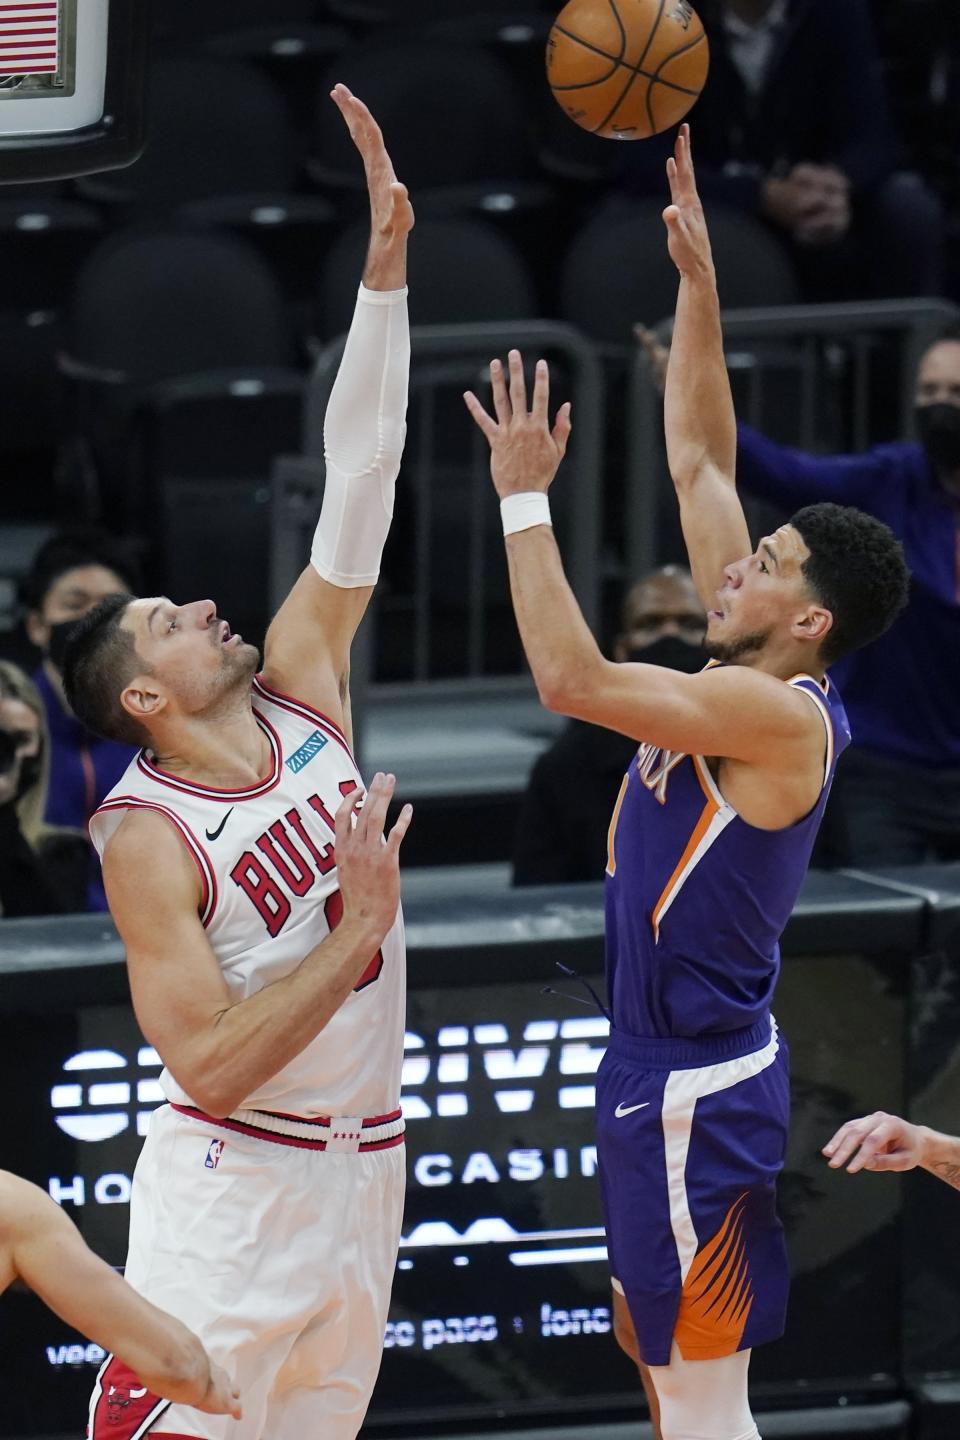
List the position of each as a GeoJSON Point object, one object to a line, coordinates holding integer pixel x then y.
{"type": "Point", "coordinates": [730, 711]}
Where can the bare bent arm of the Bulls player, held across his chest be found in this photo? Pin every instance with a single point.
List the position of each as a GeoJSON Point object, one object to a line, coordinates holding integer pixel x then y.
{"type": "Point", "coordinates": [218, 1048]}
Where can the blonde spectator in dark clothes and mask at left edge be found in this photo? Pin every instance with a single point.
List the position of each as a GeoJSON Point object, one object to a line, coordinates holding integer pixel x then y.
{"type": "Point", "coordinates": [42, 870]}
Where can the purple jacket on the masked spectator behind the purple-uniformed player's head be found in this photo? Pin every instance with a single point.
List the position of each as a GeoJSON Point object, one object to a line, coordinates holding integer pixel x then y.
{"type": "Point", "coordinates": [902, 693]}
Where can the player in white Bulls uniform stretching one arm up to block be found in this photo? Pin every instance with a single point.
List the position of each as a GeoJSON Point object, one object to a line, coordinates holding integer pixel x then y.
{"type": "Point", "coordinates": [264, 935]}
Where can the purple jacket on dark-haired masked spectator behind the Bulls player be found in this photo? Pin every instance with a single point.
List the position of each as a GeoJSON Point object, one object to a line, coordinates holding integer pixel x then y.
{"type": "Point", "coordinates": [83, 771]}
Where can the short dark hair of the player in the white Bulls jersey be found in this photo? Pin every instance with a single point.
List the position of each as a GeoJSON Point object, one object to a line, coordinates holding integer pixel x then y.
{"type": "Point", "coordinates": [101, 659]}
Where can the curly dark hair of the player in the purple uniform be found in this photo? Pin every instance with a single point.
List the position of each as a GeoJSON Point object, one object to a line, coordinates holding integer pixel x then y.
{"type": "Point", "coordinates": [857, 570]}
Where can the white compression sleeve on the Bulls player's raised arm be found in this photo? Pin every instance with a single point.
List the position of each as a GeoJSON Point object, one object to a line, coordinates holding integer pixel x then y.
{"type": "Point", "coordinates": [363, 441]}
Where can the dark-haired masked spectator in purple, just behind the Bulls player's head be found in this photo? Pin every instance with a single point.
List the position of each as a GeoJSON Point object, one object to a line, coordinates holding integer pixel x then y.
{"type": "Point", "coordinates": [71, 574]}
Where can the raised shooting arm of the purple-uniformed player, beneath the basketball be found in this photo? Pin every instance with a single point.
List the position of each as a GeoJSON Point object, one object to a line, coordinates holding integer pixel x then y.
{"type": "Point", "coordinates": [699, 414]}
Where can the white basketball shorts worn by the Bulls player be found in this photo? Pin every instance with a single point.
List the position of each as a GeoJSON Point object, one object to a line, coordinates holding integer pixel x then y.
{"type": "Point", "coordinates": [280, 1259]}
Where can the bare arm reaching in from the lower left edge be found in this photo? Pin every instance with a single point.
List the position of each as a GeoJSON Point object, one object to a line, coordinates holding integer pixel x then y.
{"type": "Point", "coordinates": [45, 1251]}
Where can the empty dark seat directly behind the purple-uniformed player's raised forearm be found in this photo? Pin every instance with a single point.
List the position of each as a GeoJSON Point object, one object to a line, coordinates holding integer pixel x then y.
{"type": "Point", "coordinates": [618, 270]}
